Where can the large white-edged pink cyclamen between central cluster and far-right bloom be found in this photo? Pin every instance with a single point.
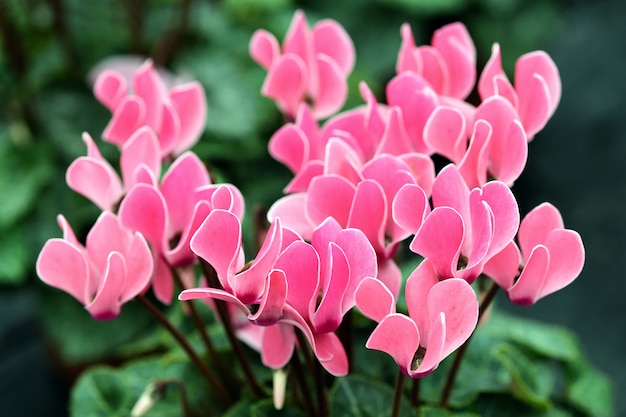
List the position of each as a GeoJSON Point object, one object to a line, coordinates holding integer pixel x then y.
{"type": "Point", "coordinates": [466, 228]}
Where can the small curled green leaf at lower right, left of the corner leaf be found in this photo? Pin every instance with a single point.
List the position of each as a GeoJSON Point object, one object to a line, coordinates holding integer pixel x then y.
{"type": "Point", "coordinates": [532, 378]}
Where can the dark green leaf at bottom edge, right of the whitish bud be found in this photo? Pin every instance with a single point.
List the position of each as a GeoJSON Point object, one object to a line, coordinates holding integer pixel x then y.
{"type": "Point", "coordinates": [360, 397]}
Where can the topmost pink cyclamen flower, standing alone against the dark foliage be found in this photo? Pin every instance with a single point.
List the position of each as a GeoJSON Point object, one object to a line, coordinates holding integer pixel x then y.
{"type": "Point", "coordinates": [312, 65]}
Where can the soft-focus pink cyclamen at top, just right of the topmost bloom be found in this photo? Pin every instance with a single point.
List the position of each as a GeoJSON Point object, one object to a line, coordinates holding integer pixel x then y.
{"type": "Point", "coordinates": [449, 65]}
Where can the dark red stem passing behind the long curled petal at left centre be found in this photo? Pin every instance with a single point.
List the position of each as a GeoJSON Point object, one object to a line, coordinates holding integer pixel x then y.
{"type": "Point", "coordinates": [222, 311]}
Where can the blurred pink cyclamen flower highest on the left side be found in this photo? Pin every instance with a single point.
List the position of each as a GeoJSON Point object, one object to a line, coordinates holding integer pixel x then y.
{"type": "Point", "coordinates": [177, 115]}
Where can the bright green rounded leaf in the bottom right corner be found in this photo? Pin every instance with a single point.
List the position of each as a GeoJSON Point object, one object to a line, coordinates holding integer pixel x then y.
{"type": "Point", "coordinates": [590, 391]}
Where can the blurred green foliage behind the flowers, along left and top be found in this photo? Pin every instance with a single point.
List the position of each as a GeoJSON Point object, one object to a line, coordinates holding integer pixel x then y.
{"type": "Point", "coordinates": [50, 47]}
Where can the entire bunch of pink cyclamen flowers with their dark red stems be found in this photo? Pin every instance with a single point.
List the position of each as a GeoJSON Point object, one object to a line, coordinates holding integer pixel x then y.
{"type": "Point", "coordinates": [364, 182]}
